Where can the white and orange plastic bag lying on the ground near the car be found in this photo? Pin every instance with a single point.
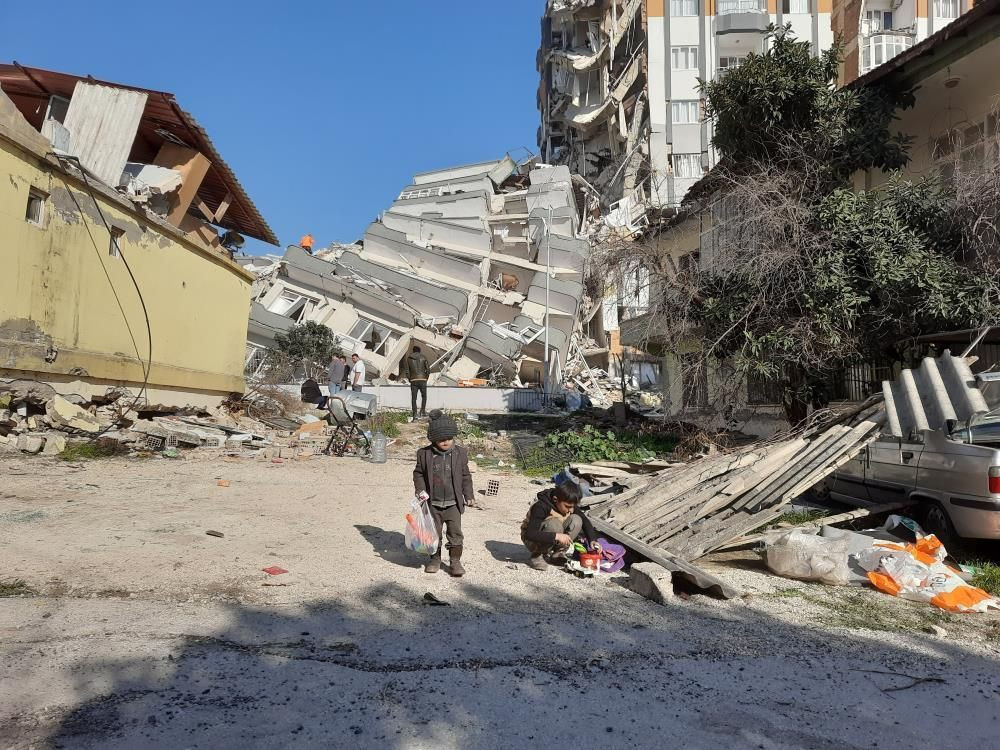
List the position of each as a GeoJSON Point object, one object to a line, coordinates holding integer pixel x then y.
{"type": "Point", "coordinates": [917, 572]}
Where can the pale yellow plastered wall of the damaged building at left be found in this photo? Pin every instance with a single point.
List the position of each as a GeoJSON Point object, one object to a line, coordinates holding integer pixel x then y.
{"type": "Point", "coordinates": [60, 287]}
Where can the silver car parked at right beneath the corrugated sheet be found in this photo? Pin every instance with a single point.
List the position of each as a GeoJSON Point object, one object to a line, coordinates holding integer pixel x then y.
{"type": "Point", "coordinates": [953, 479]}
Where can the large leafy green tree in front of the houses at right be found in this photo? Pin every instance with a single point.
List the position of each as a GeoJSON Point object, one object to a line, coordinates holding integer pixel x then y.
{"type": "Point", "coordinates": [807, 274]}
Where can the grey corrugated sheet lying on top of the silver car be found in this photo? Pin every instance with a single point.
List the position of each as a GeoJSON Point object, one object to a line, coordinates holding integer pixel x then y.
{"type": "Point", "coordinates": [926, 398]}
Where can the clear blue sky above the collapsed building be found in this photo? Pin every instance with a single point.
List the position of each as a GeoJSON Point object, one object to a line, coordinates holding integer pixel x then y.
{"type": "Point", "coordinates": [323, 109]}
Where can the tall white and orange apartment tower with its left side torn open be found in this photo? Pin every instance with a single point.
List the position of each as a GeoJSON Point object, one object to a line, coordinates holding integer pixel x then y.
{"type": "Point", "coordinates": [619, 96]}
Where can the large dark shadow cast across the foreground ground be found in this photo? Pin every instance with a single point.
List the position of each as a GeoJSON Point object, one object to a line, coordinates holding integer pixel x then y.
{"type": "Point", "coordinates": [502, 670]}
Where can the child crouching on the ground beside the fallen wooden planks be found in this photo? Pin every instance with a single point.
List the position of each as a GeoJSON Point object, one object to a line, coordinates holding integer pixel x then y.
{"type": "Point", "coordinates": [553, 523]}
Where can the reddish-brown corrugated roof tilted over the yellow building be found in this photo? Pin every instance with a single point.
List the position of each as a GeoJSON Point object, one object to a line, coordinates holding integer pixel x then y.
{"type": "Point", "coordinates": [163, 120]}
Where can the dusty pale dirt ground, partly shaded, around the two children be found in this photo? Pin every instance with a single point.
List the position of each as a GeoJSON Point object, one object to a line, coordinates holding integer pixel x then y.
{"type": "Point", "coordinates": [140, 630]}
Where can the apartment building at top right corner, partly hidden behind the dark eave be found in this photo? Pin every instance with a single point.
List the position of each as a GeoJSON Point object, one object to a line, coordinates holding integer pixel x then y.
{"type": "Point", "coordinates": [875, 31]}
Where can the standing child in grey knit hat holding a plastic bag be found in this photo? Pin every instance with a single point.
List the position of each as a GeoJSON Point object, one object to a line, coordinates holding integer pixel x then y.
{"type": "Point", "coordinates": [442, 475]}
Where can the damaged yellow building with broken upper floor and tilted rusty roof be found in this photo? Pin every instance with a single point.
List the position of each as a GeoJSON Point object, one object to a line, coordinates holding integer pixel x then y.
{"type": "Point", "coordinates": [114, 272]}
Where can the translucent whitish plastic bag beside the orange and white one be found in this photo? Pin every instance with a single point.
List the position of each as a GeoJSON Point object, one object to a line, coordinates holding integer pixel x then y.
{"type": "Point", "coordinates": [808, 557]}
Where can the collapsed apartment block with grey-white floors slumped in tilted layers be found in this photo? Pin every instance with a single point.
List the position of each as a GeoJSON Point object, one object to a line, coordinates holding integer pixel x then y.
{"type": "Point", "coordinates": [483, 266]}
